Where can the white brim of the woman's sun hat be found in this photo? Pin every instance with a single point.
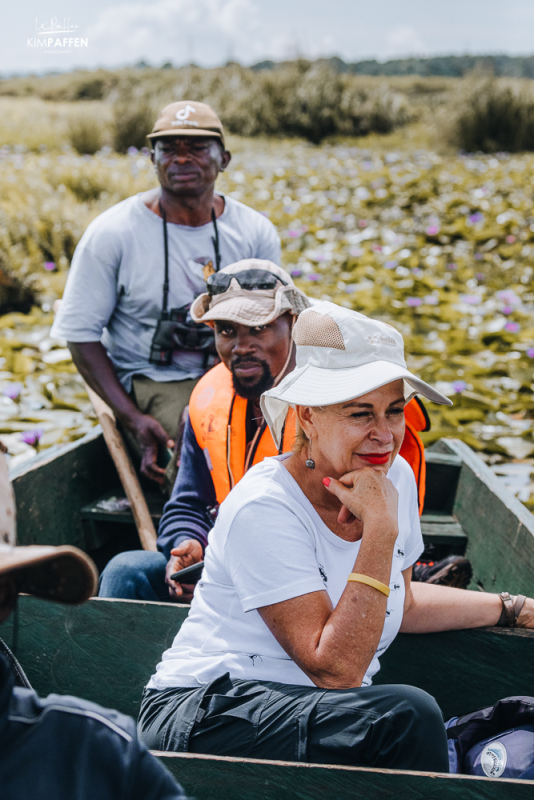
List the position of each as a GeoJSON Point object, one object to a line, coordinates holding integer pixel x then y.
{"type": "Point", "coordinates": [315, 386]}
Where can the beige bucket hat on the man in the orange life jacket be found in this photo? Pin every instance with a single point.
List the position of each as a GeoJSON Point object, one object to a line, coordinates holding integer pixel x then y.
{"type": "Point", "coordinates": [250, 307]}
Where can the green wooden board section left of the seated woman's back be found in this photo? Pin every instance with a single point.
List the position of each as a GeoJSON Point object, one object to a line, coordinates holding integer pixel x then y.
{"type": "Point", "coordinates": [104, 651]}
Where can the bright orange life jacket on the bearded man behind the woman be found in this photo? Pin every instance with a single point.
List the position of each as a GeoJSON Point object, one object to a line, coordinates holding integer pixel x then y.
{"type": "Point", "coordinates": [218, 417]}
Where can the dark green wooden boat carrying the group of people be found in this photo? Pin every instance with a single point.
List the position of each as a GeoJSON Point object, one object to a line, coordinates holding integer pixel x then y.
{"type": "Point", "coordinates": [106, 650]}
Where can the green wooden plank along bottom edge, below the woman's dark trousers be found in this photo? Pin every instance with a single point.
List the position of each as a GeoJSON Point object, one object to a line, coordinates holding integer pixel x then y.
{"type": "Point", "coordinates": [218, 778]}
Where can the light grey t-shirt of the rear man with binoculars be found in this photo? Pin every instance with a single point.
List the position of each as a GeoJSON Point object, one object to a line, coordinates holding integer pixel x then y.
{"type": "Point", "coordinates": [114, 291]}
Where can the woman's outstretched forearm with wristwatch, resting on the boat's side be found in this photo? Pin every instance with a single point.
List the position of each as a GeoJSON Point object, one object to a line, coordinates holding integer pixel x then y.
{"type": "Point", "coordinates": [429, 608]}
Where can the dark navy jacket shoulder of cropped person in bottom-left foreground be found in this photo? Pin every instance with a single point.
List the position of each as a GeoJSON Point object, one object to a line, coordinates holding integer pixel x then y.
{"type": "Point", "coordinates": [76, 749]}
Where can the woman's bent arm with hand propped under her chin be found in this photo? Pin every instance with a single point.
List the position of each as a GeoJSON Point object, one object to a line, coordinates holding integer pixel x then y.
{"type": "Point", "coordinates": [334, 647]}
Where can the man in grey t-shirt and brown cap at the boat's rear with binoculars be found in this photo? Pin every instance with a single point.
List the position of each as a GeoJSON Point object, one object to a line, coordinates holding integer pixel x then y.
{"type": "Point", "coordinates": [115, 290]}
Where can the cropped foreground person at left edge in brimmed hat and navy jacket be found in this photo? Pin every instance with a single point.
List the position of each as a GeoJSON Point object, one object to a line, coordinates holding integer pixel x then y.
{"type": "Point", "coordinates": [61, 747]}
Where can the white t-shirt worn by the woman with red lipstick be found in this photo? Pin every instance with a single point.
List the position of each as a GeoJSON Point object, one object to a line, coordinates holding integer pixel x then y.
{"type": "Point", "coordinates": [269, 545]}
